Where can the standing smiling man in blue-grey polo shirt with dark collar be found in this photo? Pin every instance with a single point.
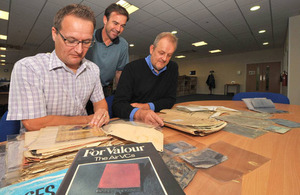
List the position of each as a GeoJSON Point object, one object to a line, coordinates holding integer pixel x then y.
{"type": "Point", "coordinates": [110, 51]}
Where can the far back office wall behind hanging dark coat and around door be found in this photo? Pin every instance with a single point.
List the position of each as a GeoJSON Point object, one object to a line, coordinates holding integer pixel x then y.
{"type": "Point", "coordinates": [226, 68]}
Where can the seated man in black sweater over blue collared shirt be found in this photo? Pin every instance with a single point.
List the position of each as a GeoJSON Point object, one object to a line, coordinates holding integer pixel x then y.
{"type": "Point", "coordinates": [148, 85]}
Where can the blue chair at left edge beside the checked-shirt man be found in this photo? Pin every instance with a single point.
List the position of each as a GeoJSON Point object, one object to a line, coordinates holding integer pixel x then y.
{"type": "Point", "coordinates": [8, 127]}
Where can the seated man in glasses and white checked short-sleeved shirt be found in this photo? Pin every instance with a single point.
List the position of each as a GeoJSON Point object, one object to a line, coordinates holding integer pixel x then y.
{"type": "Point", "coordinates": [51, 89]}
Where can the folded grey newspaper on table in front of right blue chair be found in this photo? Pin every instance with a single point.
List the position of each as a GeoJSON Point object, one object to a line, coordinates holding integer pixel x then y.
{"type": "Point", "coordinates": [261, 105]}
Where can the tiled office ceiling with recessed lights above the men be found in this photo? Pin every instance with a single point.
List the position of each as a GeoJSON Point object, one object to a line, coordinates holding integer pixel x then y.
{"type": "Point", "coordinates": [224, 24]}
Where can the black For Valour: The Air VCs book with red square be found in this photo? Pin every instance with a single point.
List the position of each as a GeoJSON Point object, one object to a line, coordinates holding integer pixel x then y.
{"type": "Point", "coordinates": [125, 169]}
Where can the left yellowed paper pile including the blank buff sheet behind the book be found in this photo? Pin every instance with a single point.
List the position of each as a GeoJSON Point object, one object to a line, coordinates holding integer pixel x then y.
{"type": "Point", "coordinates": [54, 148]}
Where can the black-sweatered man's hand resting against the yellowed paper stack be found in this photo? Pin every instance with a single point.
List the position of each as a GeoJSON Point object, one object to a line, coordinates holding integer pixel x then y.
{"type": "Point", "coordinates": [149, 117]}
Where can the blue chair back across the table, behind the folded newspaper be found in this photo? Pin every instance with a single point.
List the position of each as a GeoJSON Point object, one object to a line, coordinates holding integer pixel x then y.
{"type": "Point", "coordinates": [275, 97]}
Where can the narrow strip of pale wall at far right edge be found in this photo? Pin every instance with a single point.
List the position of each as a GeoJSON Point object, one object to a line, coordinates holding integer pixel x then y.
{"type": "Point", "coordinates": [294, 60]}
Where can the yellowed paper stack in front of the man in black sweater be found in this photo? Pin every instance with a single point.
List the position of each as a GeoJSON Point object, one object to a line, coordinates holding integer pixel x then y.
{"type": "Point", "coordinates": [196, 123]}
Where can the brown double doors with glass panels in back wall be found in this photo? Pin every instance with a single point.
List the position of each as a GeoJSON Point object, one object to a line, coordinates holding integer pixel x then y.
{"type": "Point", "coordinates": [263, 77]}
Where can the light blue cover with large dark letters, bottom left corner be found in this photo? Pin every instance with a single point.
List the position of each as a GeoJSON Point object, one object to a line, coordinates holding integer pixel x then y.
{"type": "Point", "coordinates": [47, 184]}
